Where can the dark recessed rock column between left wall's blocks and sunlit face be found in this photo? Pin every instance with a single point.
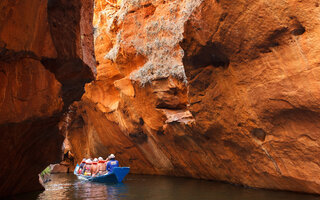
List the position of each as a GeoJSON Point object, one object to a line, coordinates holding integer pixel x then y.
{"type": "Point", "coordinates": [75, 65]}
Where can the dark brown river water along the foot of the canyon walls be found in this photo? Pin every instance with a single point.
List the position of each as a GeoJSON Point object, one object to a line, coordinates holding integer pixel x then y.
{"type": "Point", "coordinates": [140, 187]}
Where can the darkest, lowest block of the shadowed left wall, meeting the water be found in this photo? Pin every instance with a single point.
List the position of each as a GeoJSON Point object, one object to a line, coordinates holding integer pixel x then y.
{"type": "Point", "coordinates": [38, 136]}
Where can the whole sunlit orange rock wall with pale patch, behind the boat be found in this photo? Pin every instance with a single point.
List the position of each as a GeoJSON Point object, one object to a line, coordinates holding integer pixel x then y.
{"type": "Point", "coordinates": [219, 90]}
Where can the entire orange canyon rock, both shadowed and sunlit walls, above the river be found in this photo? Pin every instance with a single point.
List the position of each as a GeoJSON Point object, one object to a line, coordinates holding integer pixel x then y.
{"type": "Point", "coordinates": [209, 89]}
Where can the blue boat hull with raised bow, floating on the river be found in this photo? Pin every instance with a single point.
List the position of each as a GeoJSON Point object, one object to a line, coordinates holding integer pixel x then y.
{"type": "Point", "coordinates": [116, 176]}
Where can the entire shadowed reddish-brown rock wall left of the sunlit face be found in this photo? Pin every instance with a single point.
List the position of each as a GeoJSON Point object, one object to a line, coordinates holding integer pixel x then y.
{"type": "Point", "coordinates": [44, 64]}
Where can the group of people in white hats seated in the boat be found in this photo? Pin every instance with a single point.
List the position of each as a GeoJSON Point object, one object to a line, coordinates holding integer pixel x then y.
{"type": "Point", "coordinates": [98, 166]}
